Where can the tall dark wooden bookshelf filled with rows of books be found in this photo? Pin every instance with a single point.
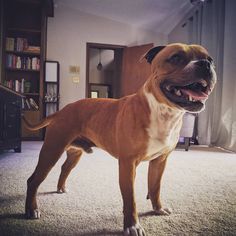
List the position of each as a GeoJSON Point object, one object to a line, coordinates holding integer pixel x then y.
{"type": "Point", "coordinates": [23, 55]}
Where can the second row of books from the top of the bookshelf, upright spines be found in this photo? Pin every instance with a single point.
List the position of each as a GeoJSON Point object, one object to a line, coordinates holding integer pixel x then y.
{"type": "Point", "coordinates": [21, 62]}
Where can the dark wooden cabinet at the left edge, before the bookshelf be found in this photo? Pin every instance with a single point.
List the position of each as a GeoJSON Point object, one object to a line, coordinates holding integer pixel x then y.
{"type": "Point", "coordinates": [10, 119]}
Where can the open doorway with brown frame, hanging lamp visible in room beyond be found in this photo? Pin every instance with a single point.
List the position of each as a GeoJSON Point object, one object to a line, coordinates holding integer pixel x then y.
{"type": "Point", "coordinates": [103, 70]}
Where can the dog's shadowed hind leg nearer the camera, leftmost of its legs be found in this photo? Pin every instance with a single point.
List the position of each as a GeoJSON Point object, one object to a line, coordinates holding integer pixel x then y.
{"type": "Point", "coordinates": [49, 155]}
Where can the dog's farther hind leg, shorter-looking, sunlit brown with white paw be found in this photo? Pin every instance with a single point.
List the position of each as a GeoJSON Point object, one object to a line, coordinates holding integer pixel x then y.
{"type": "Point", "coordinates": [73, 157]}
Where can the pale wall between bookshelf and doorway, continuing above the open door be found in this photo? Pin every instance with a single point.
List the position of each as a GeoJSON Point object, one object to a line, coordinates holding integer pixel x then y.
{"type": "Point", "coordinates": [68, 33]}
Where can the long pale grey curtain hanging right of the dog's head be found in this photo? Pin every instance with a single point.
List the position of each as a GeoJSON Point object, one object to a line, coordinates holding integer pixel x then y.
{"type": "Point", "coordinates": [208, 26]}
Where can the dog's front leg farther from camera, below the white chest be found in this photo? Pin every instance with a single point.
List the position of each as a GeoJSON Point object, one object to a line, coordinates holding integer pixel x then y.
{"type": "Point", "coordinates": [155, 172]}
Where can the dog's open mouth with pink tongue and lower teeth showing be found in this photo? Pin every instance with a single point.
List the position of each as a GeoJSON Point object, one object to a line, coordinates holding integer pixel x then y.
{"type": "Point", "coordinates": [191, 96]}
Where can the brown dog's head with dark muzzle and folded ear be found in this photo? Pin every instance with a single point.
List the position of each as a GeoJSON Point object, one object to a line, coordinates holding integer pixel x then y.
{"type": "Point", "coordinates": [183, 75]}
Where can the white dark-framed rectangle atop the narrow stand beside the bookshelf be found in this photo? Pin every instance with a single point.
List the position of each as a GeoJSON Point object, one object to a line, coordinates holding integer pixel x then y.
{"type": "Point", "coordinates": [51, 71]}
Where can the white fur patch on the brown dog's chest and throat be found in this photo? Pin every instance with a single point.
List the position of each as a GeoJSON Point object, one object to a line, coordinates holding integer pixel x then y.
{"type": "Point", "coordinates": [165, 125]}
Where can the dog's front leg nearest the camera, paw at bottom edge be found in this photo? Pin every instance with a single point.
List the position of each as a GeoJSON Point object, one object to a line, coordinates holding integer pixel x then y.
{"type": "Point", "coordinates": [127, 172]}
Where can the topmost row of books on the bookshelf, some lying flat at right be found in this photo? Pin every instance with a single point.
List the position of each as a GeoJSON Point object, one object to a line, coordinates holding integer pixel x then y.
{"type": "Point", "coordinates": [20, 45]}
